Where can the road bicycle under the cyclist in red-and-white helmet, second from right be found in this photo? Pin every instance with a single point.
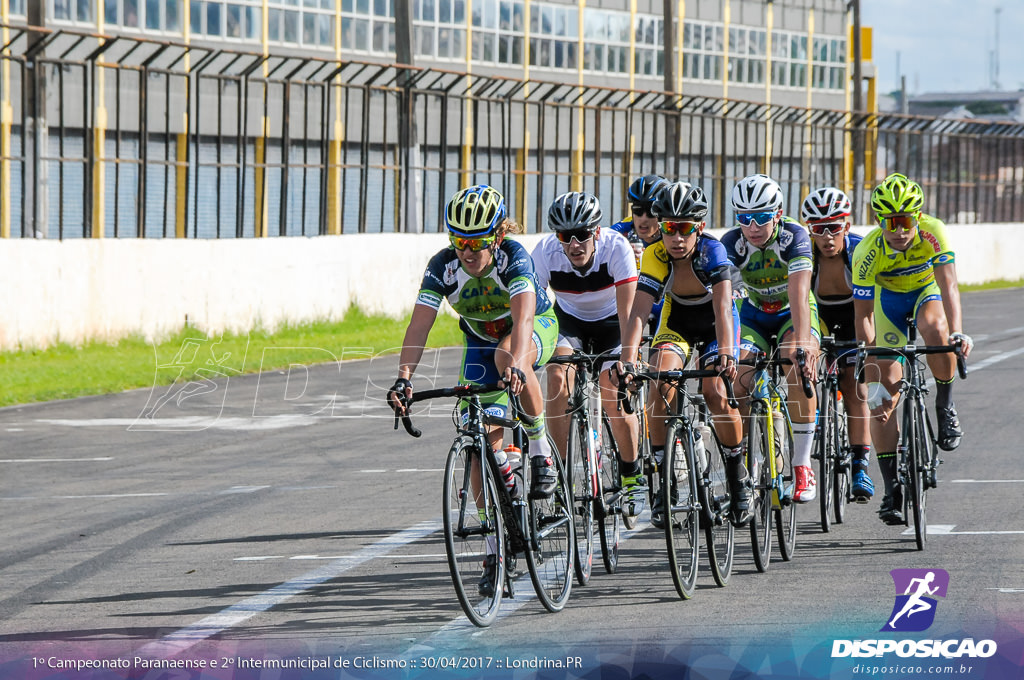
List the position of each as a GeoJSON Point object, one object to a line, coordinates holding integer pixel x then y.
{"type": "Point", "coordinates": [832, 446]}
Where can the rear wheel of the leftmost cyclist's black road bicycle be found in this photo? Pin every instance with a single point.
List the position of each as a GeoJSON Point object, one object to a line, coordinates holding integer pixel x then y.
{"type": "Point", "coordinates": [552, 539]}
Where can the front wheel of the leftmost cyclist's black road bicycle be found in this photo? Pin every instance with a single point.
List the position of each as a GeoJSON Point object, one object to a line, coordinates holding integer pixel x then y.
{"type": "Point", "coordinates": [474, 529]}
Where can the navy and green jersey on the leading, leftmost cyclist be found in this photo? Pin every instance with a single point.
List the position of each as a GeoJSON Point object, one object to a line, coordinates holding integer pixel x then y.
{"type": "Point", "coordinates": [483, 304]}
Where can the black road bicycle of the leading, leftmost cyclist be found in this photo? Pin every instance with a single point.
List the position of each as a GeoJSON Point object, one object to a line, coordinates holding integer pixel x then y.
{"type": "Point", "coordinates": [482, 517]}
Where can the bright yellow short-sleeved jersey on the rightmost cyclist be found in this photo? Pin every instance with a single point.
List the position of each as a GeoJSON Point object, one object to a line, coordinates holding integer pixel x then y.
{"type": "Point", "coordinates": [877, 264]}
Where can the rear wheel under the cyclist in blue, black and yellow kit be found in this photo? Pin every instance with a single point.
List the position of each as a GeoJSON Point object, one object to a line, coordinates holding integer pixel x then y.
{"type": "Point", "coordinates": [719, 532]}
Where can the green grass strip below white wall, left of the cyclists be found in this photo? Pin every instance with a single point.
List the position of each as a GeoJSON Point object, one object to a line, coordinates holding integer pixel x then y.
{"type": "Point", "coordinates": [65, 371]}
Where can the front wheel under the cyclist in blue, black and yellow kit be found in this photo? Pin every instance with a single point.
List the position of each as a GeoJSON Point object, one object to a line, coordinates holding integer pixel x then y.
{"type": "Point", "coordinates": [682, 522]}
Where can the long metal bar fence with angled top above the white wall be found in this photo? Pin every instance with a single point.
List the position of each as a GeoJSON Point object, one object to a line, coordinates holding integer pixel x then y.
{"type": "Point", "coordinates": [118, 137]}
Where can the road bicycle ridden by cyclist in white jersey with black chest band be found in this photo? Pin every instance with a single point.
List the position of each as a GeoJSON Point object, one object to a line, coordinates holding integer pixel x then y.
{"type": "Point", "coordinates": [592, 467]}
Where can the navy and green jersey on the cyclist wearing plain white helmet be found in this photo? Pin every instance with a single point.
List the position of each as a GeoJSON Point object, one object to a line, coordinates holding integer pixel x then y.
{"type": "Point", "coordinates": [766, 271]}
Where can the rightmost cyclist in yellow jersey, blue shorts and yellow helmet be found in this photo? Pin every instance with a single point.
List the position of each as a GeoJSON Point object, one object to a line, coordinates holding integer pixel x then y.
{"type": "Point", "coordinates": [907, 266]}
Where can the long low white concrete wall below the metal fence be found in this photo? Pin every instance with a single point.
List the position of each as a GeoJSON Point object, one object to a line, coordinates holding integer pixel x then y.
{"type": "Point", "coordinates": [76, 291]}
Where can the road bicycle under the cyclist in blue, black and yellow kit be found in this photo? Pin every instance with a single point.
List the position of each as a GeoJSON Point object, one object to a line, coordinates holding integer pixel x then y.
{"type": "Point", "coordinates": [694, 481]}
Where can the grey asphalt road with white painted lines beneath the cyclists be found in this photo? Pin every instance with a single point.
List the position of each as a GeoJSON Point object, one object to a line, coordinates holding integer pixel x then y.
{"type": "Point", "coordinates": [282, 512]}
